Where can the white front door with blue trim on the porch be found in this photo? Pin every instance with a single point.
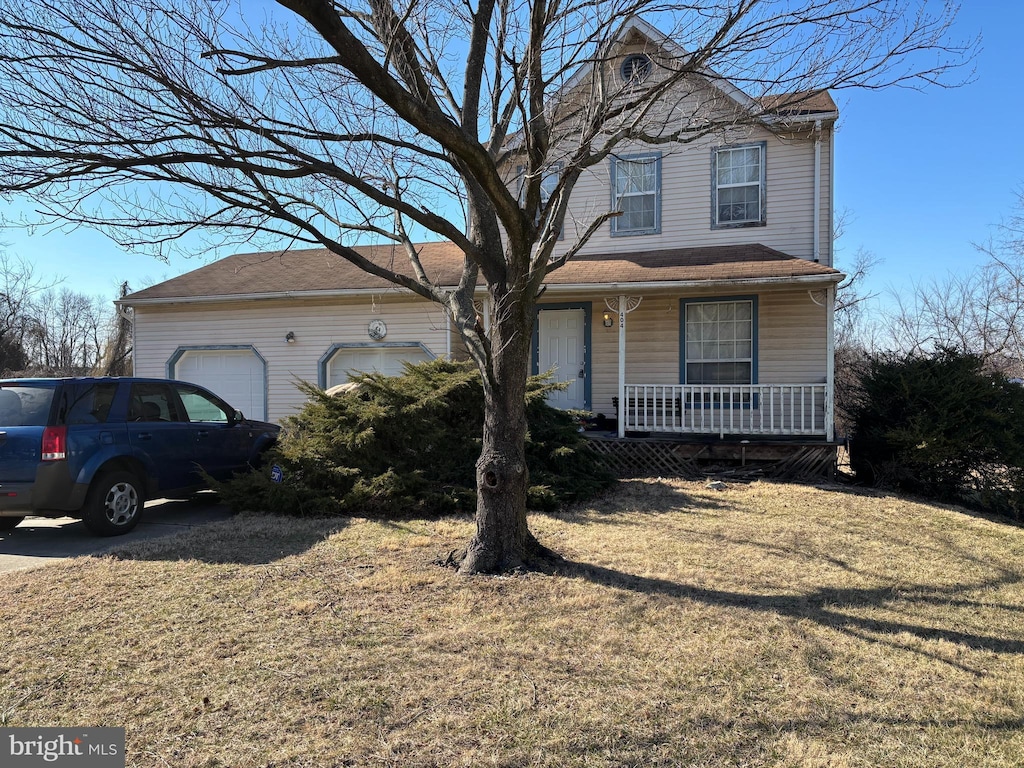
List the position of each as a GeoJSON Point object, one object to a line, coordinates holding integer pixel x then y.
{"type": "Point", "coordinates": [562, 351]}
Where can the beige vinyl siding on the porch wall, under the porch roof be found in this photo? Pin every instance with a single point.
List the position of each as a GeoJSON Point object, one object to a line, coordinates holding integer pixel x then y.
{"type": "Point", "coordinates": [792, 345]}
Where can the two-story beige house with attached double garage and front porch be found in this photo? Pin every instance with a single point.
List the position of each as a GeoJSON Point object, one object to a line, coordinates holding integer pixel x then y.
{"type": "Point", "coordinates": [705, 310]}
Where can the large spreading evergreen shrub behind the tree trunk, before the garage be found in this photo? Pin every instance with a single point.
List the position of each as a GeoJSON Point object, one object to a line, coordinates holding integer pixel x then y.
{"type": "Point", "coordinates": [407, 446]}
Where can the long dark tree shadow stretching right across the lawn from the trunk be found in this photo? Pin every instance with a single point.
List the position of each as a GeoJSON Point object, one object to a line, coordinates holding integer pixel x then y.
{"type": "Point", "coordinates": [828, 607]}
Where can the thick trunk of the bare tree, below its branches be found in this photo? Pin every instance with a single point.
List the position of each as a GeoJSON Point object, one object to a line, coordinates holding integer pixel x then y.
{"type": "Point", "coordinates": [503, 541]}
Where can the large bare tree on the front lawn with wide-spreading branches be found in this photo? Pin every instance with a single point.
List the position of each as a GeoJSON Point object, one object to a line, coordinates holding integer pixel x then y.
{"type": "Point", "coordinates": [393, 121]}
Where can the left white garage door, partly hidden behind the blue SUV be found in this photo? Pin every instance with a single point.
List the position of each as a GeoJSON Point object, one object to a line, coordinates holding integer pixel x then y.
{"type": "Point", "coordinates": [236, 375]}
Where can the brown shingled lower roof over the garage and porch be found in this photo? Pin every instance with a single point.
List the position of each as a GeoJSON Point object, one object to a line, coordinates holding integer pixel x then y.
{"type": "Point", "coordinates": [318, 273]}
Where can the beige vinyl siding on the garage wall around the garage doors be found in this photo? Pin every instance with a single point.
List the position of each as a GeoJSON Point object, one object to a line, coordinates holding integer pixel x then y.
{"type": "Point", "coordinates": [318, 326]}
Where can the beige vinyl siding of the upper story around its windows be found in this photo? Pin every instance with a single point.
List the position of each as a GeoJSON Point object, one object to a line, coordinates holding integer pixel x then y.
{"type": "Point", "coordinates": [687, 211]}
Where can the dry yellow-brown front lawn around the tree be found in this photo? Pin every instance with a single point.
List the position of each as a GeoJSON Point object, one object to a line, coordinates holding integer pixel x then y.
{"type": "Point", "coordinates": [766, 625]}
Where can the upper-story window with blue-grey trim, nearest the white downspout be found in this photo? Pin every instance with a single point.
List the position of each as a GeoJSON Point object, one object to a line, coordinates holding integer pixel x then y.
{"type": "Point", "coordinates": [739, 186]}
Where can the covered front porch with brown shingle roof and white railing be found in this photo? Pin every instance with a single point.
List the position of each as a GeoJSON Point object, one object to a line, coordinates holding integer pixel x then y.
{"type": "Point", "coordinates": [724, 345]}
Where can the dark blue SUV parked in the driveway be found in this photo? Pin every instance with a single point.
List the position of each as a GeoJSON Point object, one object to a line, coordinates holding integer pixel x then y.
{"type": "Point", "coordinates": [98, 448]}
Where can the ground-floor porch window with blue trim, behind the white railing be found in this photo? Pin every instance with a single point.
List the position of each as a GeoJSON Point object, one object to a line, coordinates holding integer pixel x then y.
{"type": "Point", "coordinates": [720, 350]}
